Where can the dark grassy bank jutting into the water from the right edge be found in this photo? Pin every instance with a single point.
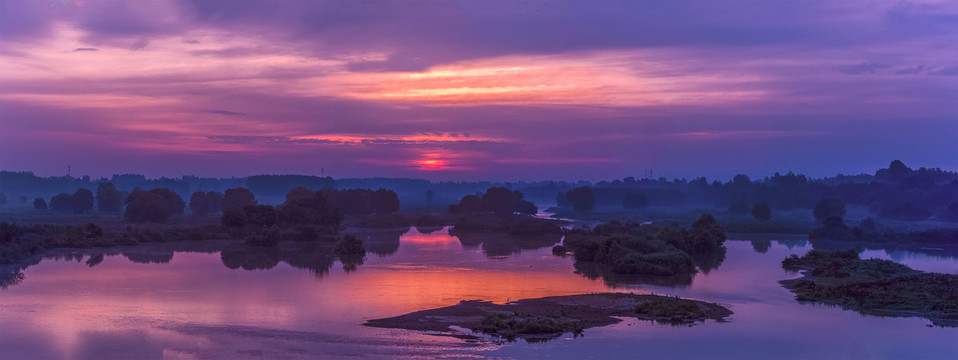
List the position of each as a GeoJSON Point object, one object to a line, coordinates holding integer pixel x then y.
{"type": "Point", "coordinates": [872, 286]}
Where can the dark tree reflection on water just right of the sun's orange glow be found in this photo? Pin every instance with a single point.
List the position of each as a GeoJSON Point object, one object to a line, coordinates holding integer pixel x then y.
{"type": "Point", "coordinates": [500, 244]}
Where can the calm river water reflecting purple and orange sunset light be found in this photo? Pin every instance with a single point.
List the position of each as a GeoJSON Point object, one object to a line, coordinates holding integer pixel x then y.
{"type": "Point", "coordinates": [191, 301]}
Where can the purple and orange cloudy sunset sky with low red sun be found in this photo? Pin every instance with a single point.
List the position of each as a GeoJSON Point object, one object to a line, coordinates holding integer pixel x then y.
{"type": "Point", "coordinates": [477, 90]}
